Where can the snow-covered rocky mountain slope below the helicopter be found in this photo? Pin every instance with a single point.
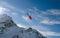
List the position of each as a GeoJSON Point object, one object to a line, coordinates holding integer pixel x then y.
{"type": "Point", "coordinates": [8, 29]}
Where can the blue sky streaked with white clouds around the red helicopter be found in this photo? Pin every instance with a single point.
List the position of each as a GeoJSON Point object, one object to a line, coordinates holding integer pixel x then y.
{"type": "Point", "coordinates": [45, 15]}
